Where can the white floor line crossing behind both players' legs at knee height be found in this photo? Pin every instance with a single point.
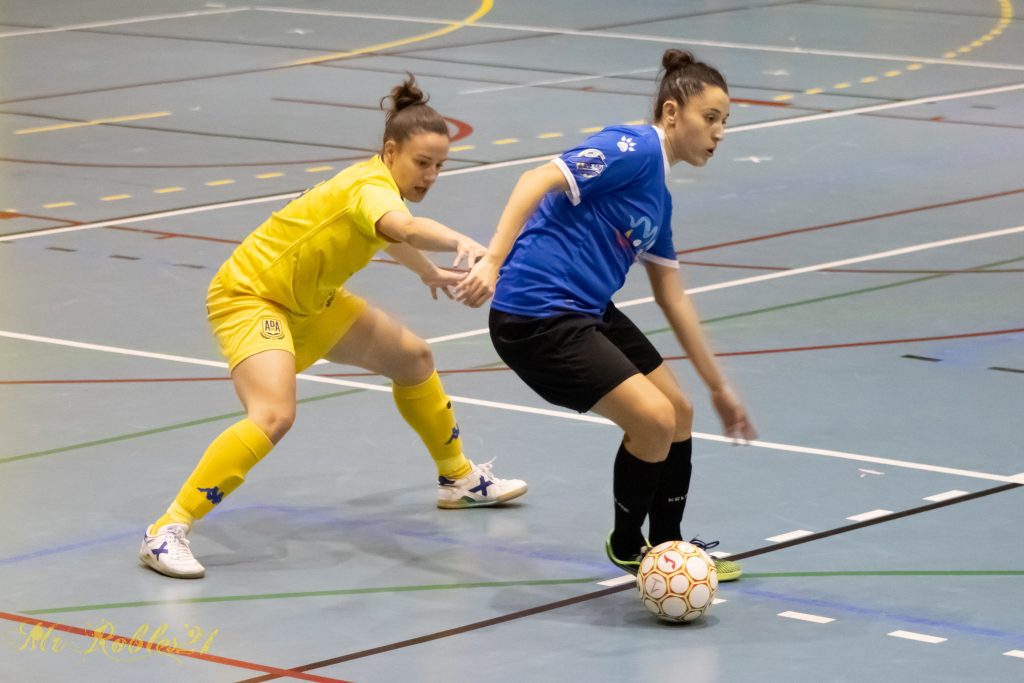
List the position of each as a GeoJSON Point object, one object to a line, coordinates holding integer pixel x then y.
{"type": "Point", "coordinates": [515, 408]}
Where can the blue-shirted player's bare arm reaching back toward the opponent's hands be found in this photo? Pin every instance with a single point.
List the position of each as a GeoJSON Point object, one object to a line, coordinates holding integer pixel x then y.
{"type": "Point", "coordinates": [527, 195]}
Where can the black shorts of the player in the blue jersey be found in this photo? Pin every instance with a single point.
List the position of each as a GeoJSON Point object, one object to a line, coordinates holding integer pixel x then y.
{"type": "Point", "coordinates": [573, 360]}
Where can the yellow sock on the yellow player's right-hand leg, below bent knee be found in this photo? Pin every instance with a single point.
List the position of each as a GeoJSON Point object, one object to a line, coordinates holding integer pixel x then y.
{"type": "Point", "coordinates": [428, 410]}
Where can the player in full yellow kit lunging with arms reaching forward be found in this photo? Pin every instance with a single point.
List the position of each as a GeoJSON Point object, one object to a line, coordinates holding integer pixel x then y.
{"type": "Point", "coordinates": [279, 305]}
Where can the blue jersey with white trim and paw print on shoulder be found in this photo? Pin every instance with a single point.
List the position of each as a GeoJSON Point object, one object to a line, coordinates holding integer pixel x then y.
{"type": "Point", "coordinates": [576, 249]}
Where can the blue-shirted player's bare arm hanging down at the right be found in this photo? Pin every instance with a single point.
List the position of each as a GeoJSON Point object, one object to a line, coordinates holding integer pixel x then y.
{"type": "Point", "coordinates": [682, 317]}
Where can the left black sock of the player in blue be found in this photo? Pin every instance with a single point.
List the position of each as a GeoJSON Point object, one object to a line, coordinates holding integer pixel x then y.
{"type": "Point", "coordinates": [633, 486]}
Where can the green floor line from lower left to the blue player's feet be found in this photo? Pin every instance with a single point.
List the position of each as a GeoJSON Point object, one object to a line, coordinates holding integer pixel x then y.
{"type": "Point", "coordinates": [309, 594]}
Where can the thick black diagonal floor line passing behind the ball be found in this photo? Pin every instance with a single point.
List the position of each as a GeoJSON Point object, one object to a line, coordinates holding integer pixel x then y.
{"type": "Point", "coordinates": [618, 589]}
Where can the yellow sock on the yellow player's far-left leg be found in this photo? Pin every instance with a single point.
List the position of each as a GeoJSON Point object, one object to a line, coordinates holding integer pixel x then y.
{"type": "Point", "coordinates": [222, 469]}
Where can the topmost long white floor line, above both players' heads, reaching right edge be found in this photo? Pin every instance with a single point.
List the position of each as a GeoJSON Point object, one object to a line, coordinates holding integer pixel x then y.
{"type": "Point", "coordinates": [655, 39]}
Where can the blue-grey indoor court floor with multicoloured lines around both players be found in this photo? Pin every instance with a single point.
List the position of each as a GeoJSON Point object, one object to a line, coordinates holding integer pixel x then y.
{"type": "Point", "coordinates": [856, 250]}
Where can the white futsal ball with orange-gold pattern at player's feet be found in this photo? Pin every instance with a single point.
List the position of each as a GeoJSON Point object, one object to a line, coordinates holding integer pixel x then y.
{"type": "Point", "coordinates": [677, 581]}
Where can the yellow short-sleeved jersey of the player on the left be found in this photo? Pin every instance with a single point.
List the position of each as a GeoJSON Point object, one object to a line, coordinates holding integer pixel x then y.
{"type": "Point", "coordinates": [306, 251]}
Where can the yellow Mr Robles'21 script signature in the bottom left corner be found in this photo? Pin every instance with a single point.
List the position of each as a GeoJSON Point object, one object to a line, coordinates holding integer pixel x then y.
{"type": "Point", "coordinates": [105, 641]}
